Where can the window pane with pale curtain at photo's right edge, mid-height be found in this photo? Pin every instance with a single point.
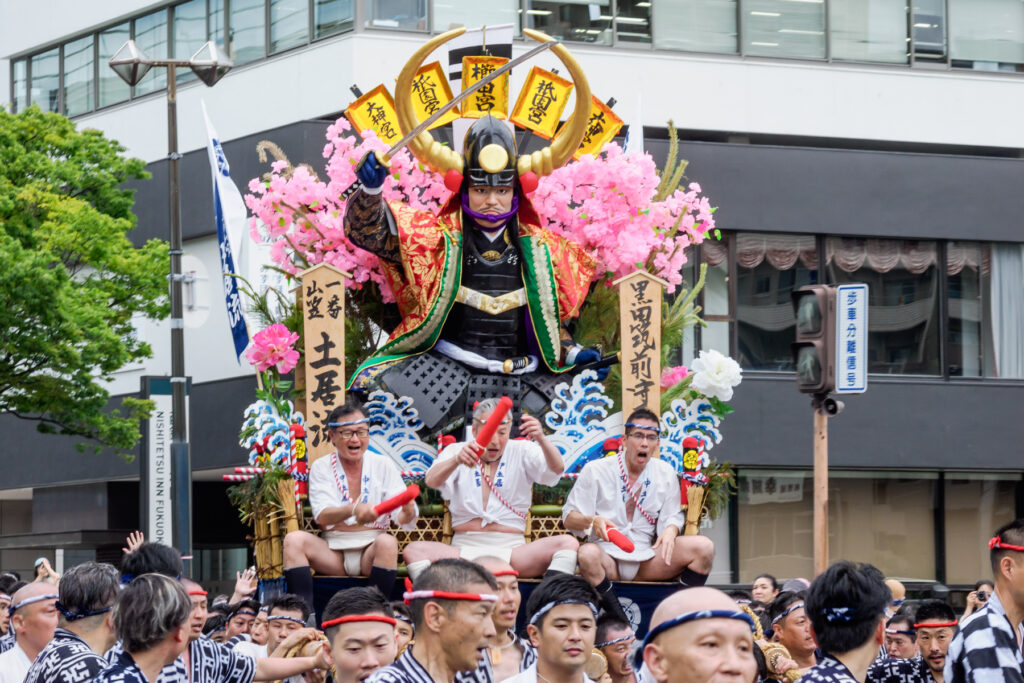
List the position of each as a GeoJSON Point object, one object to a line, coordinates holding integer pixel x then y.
{"type": "Point", "coordinates": [1006, 312]}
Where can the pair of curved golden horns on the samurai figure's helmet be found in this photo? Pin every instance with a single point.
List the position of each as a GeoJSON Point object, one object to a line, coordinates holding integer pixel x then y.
{"type": "Point", "coordinates": [443, 159]}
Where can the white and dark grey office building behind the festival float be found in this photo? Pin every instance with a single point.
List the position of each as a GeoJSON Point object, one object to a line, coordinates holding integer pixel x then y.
{"type": "Point", "coordinates": [844, 141]}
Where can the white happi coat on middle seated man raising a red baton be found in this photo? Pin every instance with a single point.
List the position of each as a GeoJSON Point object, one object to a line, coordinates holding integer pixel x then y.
{"type": "Point", "coordinates": [523, 465]}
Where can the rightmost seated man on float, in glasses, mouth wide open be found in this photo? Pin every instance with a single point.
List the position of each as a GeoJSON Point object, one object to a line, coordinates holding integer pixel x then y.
{"type": "Point", "coordinates": [638, 495]}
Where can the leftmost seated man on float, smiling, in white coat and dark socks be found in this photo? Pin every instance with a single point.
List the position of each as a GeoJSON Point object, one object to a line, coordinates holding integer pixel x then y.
{"type": "Point", "coordinates": [345, 487]}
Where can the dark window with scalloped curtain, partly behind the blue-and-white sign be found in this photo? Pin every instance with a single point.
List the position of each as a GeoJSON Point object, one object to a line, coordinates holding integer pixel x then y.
{"type": "Point", "coordinates": [904, 319]}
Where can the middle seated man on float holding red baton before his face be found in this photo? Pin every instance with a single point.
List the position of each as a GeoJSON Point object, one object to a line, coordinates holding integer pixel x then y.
{"type": "Point", "coordinates": [490, 492]}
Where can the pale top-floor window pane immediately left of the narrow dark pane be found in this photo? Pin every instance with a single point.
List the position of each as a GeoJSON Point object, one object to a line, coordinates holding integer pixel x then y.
{"type": "Point", "coordinates": [869, 30]}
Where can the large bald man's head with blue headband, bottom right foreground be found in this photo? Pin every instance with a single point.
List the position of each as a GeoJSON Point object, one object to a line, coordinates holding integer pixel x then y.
{"type": "Point", "coordinates": [675, 656]}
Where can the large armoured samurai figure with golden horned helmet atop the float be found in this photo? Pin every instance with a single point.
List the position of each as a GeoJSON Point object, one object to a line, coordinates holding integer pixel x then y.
{"type": "Point", "coordinates": [483, 288]}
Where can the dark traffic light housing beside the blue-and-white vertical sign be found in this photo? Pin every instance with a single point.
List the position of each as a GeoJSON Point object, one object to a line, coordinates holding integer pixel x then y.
{"type": "Point", "coordinates": [815, 351]}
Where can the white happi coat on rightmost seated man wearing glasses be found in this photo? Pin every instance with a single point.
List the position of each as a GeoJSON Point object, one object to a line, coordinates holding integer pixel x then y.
{"type": "Point", "coordinates": [602, 491]}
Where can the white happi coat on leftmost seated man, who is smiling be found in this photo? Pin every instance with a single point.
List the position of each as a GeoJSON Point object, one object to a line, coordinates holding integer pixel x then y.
{"type": "Point", "coordinates": [329, 489]}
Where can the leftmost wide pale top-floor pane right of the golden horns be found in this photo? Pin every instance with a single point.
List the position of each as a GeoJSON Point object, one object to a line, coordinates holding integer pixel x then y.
{"type": "Point", "coordinates": [698, 26]}
